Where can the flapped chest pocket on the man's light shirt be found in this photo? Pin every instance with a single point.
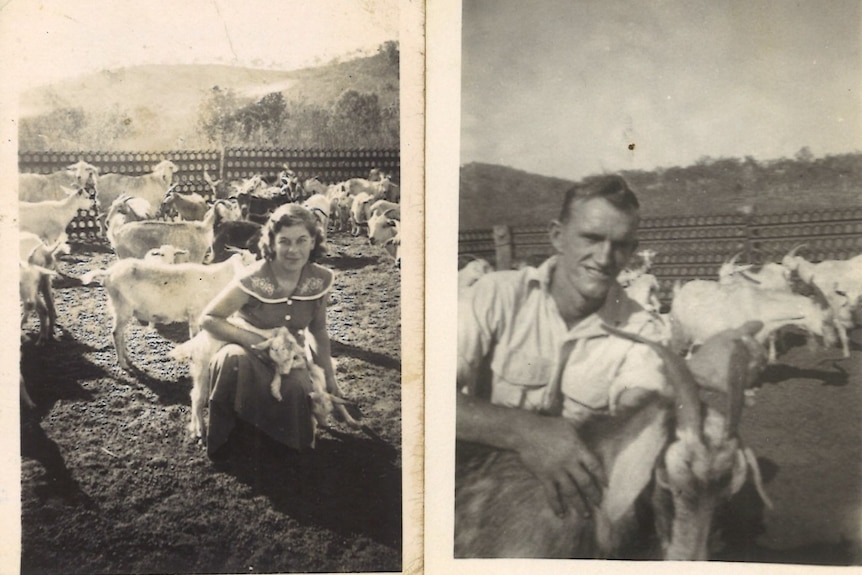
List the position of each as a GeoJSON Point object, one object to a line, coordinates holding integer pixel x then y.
{"type": "Point", "coordinates": [519, 379]}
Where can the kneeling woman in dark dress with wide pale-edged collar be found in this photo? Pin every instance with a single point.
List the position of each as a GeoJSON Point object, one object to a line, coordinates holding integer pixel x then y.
{"type": "Point", "coordinates": [287, 288]}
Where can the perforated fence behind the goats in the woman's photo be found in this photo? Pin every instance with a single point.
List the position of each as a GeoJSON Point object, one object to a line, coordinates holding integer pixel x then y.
{"type": "Point", "coordinates": [329, 166]}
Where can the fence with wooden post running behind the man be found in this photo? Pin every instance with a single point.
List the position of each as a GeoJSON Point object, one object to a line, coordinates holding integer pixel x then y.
{"type": "Point", "coordinates": [692, 247]}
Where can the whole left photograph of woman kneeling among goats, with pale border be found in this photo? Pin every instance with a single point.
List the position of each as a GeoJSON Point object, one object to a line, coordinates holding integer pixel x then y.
{"type": "Point", "coordinates": [209, 214]}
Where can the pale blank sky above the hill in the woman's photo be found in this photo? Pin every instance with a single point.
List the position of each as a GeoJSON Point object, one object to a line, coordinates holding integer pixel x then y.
{"type": "Point", "coordinates": [53, 39]}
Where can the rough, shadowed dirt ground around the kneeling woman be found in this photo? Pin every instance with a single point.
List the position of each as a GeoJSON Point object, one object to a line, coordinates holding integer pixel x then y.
{"type": "Point", "coordinates": [111, 482]}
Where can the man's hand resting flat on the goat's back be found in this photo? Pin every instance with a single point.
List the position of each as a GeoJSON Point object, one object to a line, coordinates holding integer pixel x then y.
{"type": "Point", "coordinates": [569, 473]}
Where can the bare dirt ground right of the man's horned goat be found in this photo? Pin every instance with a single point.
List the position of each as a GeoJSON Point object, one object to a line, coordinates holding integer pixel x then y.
{"type": "Point", "coordinates": [806, 429]}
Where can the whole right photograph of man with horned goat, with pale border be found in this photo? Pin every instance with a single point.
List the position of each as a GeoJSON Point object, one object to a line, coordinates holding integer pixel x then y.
{"type": "Point", "coordinates": [657, 348]}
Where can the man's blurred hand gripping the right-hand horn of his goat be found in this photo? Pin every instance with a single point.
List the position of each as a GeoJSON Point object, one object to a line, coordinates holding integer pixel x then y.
{"type": "Point", "coordinates": [709, 363]}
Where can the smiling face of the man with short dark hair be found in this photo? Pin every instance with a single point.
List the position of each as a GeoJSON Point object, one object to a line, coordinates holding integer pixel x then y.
{"type": "Point", "coordinates": [594, 245]}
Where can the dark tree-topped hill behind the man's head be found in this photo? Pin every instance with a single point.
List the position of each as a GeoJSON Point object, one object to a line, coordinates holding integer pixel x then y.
{"type": "Point", "coordinates": [492, 194]}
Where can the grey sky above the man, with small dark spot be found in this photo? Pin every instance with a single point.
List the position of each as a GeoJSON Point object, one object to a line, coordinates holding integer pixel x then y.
{"type": "Point", "coordinates": [562, 87]}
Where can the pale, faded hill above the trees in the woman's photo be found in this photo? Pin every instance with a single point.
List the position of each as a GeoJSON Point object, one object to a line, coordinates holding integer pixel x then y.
{"type": "Point", "coordinates": [162, 102]}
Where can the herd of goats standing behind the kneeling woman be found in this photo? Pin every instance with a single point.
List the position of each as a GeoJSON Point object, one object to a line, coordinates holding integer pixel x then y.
{"type": "Point", "coordinates": [176, 251]}
